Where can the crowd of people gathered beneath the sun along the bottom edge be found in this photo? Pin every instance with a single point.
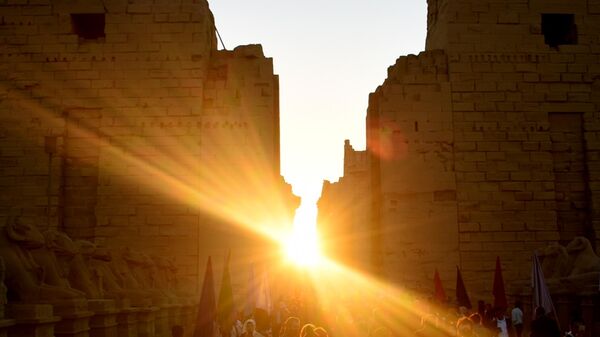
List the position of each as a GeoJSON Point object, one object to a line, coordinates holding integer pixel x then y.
{"type": "Point", "coordinates": [415, 319]}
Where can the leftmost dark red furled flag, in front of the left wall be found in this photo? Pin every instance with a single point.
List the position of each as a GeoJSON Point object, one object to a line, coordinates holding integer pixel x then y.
{"type": "Point", "coordinates": [205, 323]}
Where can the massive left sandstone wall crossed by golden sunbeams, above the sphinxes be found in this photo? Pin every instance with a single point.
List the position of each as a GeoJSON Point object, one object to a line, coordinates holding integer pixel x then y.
{"type": "Point", "coordinates": [150, 123]}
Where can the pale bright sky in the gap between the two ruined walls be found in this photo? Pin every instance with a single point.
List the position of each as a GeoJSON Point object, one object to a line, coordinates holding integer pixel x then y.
{"type": "Point", "coordinates": [329, 55]}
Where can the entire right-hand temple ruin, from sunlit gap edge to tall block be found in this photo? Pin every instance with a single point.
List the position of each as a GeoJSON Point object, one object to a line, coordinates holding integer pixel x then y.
{"type": "Point", "coordinates": [485, 144]}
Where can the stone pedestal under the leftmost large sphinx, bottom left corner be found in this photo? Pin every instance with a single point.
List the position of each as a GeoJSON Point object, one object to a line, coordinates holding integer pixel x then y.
{"type": "Point", "coordinates": [32, 320]}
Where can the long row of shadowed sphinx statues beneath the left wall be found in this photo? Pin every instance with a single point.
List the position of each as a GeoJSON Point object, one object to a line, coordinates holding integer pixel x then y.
{"type": "Point", "coordinates": [50, 267]}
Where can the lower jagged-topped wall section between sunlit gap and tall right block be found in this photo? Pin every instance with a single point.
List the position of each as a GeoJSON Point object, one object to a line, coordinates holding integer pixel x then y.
{"type": "Point", "coordinates": [410, 142]}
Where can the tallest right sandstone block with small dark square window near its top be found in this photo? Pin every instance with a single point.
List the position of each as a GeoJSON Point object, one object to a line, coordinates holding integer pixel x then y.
{"type": "Point", "coordinates": [525, 129]}
